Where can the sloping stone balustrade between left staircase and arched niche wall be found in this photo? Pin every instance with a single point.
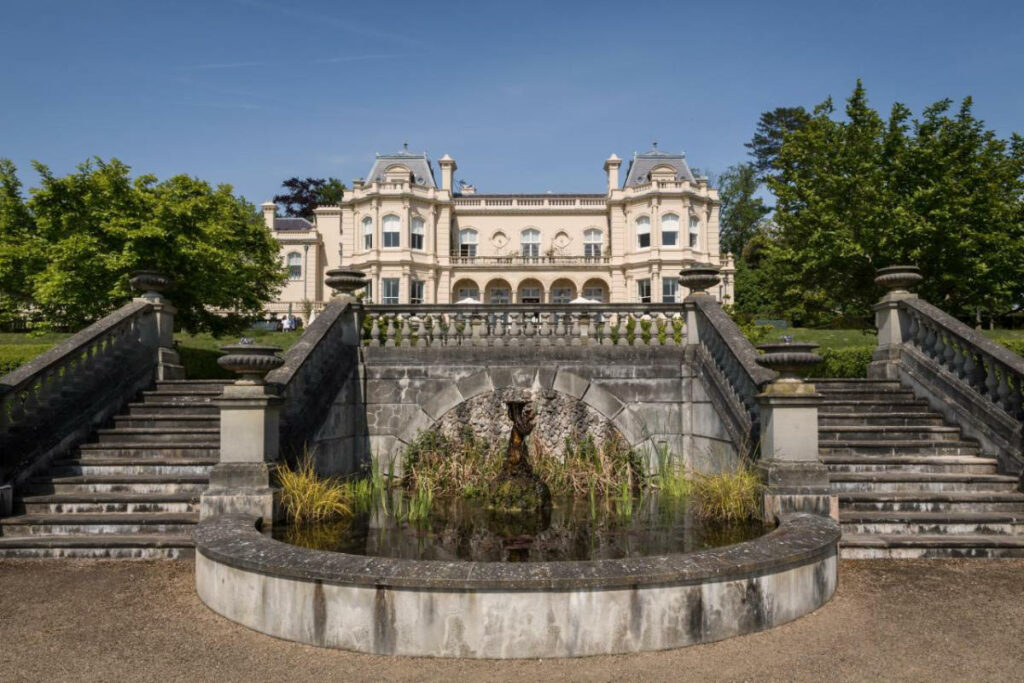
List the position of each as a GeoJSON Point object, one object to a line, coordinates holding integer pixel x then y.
{"type": "Point", "coordinates": [315, 369]}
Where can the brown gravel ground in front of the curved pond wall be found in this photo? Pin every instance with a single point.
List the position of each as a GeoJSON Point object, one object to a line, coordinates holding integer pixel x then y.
{"type": "Point", "coordinates": [121, 621]}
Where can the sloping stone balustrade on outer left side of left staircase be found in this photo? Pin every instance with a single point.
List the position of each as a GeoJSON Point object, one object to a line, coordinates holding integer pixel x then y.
{"type": "Point", "coordinates": [75, 386]}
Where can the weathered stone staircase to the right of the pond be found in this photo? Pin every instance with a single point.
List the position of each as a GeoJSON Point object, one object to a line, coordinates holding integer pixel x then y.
{"type": "Point", "coordinates": [910, 485]}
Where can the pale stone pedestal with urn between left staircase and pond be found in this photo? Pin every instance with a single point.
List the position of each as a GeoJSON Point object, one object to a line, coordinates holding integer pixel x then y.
{"type": "Point", "coordinates": [241, 483]}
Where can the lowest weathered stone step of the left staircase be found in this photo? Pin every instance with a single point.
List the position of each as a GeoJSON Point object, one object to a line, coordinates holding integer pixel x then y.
{"type": "Point", "coordinates": [136, 547]}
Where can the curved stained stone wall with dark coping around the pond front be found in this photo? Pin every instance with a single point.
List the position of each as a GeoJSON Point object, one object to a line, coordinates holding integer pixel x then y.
{"type": "Point", "coordinates": [506, 611]}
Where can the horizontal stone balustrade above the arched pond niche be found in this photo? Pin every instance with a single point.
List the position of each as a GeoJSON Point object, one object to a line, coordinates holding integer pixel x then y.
{"type": "Point", "coordinates": [524, 325]}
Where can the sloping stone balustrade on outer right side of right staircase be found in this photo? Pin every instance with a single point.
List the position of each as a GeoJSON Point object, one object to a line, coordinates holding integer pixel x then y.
{"type": "Point", "coordinates": [988, 368]}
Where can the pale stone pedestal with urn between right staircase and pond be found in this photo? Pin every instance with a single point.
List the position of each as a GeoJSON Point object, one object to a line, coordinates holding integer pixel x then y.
{"type": "Point", "coordinates": [795, 478]}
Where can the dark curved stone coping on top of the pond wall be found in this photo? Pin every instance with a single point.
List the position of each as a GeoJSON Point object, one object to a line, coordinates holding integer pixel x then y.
{"type": "Point", "coordinates": [800, 539]}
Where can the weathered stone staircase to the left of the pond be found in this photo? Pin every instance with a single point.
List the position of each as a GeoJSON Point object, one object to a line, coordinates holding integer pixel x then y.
{"type": "Point", "coordinates": [134, 492]}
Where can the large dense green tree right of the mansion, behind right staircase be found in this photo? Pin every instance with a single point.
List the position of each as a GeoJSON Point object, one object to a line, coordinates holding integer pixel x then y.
{"type": "Point", "coordinates": [857, 195]}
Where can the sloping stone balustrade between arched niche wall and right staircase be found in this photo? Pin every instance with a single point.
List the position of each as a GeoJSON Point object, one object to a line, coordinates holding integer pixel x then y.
{"type": "Point", "coordinates": [732, 360]}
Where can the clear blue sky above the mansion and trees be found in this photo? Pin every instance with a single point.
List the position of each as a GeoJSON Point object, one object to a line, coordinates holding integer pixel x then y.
{"type": "Point", "coordinates": [528, 97]}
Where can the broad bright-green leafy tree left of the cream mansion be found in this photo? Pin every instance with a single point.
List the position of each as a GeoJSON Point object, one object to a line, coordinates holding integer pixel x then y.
{"type": "Point", "coordinates": [94, 228]}
